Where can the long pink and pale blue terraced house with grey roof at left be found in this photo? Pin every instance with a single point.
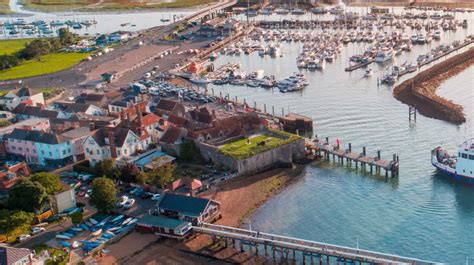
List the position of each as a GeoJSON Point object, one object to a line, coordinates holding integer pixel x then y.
{"type": "Point", "coordinates": [39, 147]}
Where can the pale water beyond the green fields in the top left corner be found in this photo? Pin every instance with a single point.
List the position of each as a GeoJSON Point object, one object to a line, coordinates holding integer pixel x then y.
{"type": "Point", "coordinates": [106, 22]}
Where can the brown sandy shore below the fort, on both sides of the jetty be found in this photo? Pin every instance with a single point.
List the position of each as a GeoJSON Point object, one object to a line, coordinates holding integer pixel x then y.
{"type": "Point", "coordinates": [239, 198]}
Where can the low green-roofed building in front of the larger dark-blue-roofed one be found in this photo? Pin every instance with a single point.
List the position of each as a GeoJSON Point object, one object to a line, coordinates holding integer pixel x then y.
{"type": "Point", "coordinates": [163, 226]}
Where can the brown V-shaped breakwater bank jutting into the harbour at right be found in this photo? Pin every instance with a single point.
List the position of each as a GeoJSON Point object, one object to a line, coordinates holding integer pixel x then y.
{"type": "Point", "coordinates": [420, 91]}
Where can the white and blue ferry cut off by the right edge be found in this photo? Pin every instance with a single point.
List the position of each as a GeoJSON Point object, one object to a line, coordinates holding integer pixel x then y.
{"type": "Point", "coordinates": [460, 167]}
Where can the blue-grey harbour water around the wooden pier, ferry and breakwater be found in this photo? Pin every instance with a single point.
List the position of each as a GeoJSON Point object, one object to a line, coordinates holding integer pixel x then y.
{"type": "Point", "coordinates": [421, 213]}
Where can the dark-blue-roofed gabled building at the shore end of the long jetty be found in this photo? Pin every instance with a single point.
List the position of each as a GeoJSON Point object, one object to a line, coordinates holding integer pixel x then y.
{"type": "Point", "coordinates": [186, 208]}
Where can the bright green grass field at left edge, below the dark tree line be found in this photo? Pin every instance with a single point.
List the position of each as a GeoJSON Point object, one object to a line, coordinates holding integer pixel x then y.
{"type": "Point", "coordinates": [49, 63]}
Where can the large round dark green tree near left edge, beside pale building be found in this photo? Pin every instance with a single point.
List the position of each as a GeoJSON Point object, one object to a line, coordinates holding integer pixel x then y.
{"type": "Point", "coordinates": [27, 196]}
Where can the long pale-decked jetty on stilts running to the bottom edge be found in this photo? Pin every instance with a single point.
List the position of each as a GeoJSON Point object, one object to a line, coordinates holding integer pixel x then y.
{"type": "Point", "coordinates": [290, 248]}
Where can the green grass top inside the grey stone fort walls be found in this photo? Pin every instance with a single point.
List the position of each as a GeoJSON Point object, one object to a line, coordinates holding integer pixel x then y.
{"type": "Point", "coordinates": [248, 147]}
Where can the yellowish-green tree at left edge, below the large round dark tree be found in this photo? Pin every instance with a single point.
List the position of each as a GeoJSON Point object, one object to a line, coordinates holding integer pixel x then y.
{"type": "Point", "coordinates": [14, 220]}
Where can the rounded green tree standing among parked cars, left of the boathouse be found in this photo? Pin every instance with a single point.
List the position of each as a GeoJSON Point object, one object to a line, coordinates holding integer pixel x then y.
{"type": "Point", "coordinates": [103, 194]}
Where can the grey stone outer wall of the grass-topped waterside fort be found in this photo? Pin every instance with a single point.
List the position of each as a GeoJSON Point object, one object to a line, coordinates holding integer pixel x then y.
{"type": "Point", "coordinates": [278, 156]}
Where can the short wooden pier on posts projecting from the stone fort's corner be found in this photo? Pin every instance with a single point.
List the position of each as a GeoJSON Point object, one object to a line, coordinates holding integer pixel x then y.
{"type": "Point", "coordinates": [361, 160]}
